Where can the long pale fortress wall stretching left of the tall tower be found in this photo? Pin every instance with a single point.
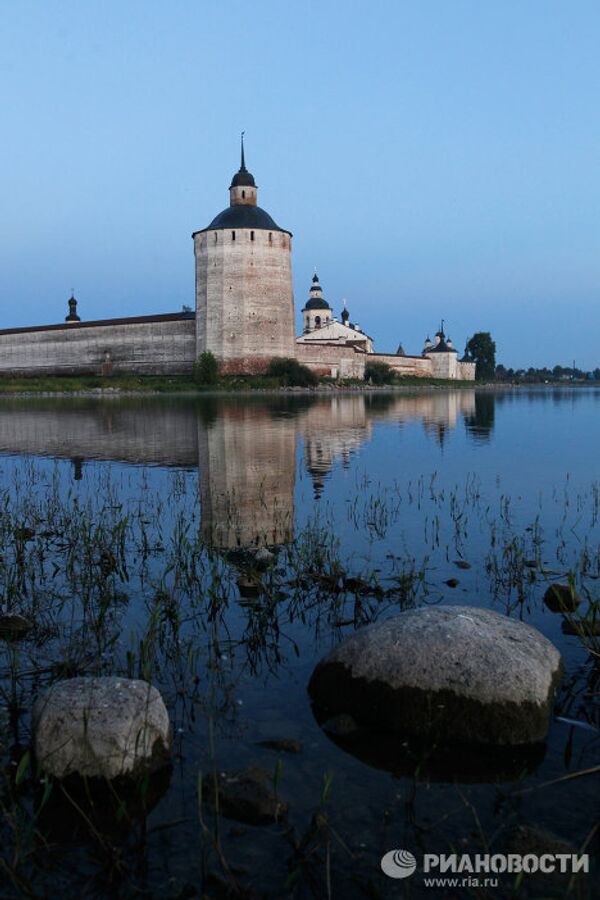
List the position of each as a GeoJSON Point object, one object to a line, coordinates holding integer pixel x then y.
{"type": "Point", "coordinates": [148, 345]}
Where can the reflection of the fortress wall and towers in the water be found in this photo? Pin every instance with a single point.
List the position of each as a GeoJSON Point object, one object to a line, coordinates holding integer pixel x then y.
{"type": "Point", "coordinates": [245, 447]}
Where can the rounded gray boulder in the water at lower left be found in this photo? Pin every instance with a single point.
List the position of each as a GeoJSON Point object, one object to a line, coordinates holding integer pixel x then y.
{"type": "Point", "coordinates": [101, 727]}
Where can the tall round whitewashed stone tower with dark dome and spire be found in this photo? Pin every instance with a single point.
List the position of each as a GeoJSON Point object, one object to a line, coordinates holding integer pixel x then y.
{"type": "Point", "coordinates": [244, 295]}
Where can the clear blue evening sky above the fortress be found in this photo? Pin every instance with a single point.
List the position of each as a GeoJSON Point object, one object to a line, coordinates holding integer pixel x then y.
{"type": "Point", "coordinates": [433, 158]}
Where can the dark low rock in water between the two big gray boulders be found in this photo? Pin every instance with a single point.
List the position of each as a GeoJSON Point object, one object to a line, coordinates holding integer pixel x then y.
{"type": "Point", "coordinates": [246, 796]}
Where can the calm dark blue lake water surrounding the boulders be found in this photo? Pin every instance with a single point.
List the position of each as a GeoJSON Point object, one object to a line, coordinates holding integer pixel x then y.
{"type": "Point", "coordinates": [391, 489]}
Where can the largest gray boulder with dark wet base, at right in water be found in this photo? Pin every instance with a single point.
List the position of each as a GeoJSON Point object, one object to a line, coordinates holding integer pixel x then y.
{"type": "Point", "coordinates": [458, 673]}
